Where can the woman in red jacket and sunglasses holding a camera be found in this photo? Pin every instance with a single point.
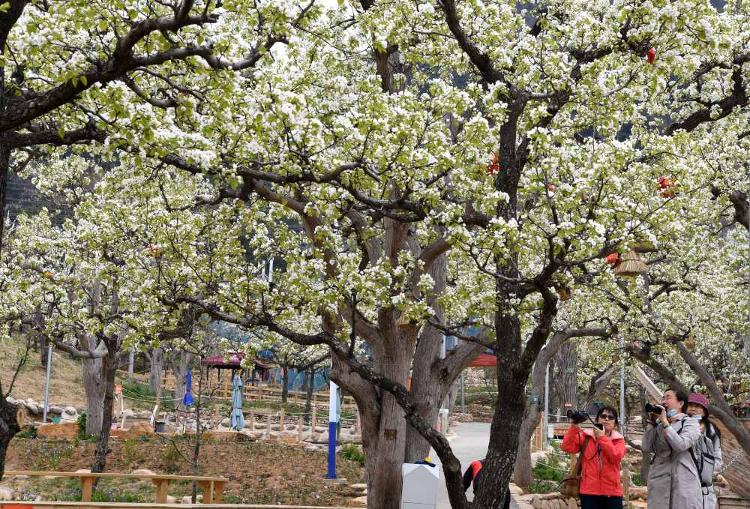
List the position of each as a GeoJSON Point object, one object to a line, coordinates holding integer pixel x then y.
{"type": "Point", "coordinates": [601, 487]}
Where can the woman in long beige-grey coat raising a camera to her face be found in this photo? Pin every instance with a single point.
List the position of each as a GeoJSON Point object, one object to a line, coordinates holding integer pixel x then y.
{"type": "Point", "coordinates": [673, 481]}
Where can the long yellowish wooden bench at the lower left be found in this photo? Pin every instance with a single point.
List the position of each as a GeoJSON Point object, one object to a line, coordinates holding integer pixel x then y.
{"type": "Point", "coordinates": [212, 487]}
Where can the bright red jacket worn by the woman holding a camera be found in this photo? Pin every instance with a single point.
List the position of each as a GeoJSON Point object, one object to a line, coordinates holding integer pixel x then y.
{"type": "Point", "coordinates": [601, 461]}
